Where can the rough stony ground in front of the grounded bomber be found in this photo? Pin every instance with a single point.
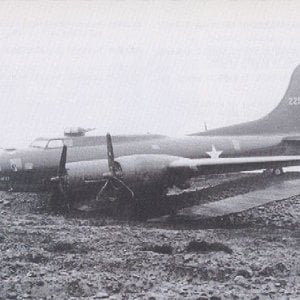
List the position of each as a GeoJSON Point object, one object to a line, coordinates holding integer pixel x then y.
{"type": "Point", "coordinates": [47, 256]}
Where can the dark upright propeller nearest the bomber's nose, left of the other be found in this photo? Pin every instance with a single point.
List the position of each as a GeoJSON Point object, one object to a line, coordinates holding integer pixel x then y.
{"type": "Point", "coordinates": [59, 184]}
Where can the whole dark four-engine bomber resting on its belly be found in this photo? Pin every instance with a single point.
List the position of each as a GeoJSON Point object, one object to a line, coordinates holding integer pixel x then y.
{"type": "Point", "coordinates": [136, 165]}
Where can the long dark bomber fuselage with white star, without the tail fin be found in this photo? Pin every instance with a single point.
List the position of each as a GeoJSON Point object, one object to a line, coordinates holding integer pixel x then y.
{"type": "Point", "coordinates": [29, 169]}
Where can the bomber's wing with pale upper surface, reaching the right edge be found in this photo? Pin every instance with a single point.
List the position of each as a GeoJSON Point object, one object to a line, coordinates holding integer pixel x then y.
{"type": "Point", "coordinates": [205, 166]}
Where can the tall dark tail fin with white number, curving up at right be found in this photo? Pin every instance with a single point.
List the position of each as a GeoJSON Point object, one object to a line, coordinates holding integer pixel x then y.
{"type": "Point", "coordinates": [284, 119]}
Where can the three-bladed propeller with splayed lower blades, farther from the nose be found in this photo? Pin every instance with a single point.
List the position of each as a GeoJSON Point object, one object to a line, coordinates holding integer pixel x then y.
{"type": "Point", "coordinates": [113, 180]}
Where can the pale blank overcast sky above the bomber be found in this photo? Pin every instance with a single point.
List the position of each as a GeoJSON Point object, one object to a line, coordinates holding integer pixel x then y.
{"type": "Point", "coordinates": [142, 66]}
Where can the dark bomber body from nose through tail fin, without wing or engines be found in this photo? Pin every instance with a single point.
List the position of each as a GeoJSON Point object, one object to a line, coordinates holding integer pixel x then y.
{"type": "Point", "coordinates": [278, 133]}
